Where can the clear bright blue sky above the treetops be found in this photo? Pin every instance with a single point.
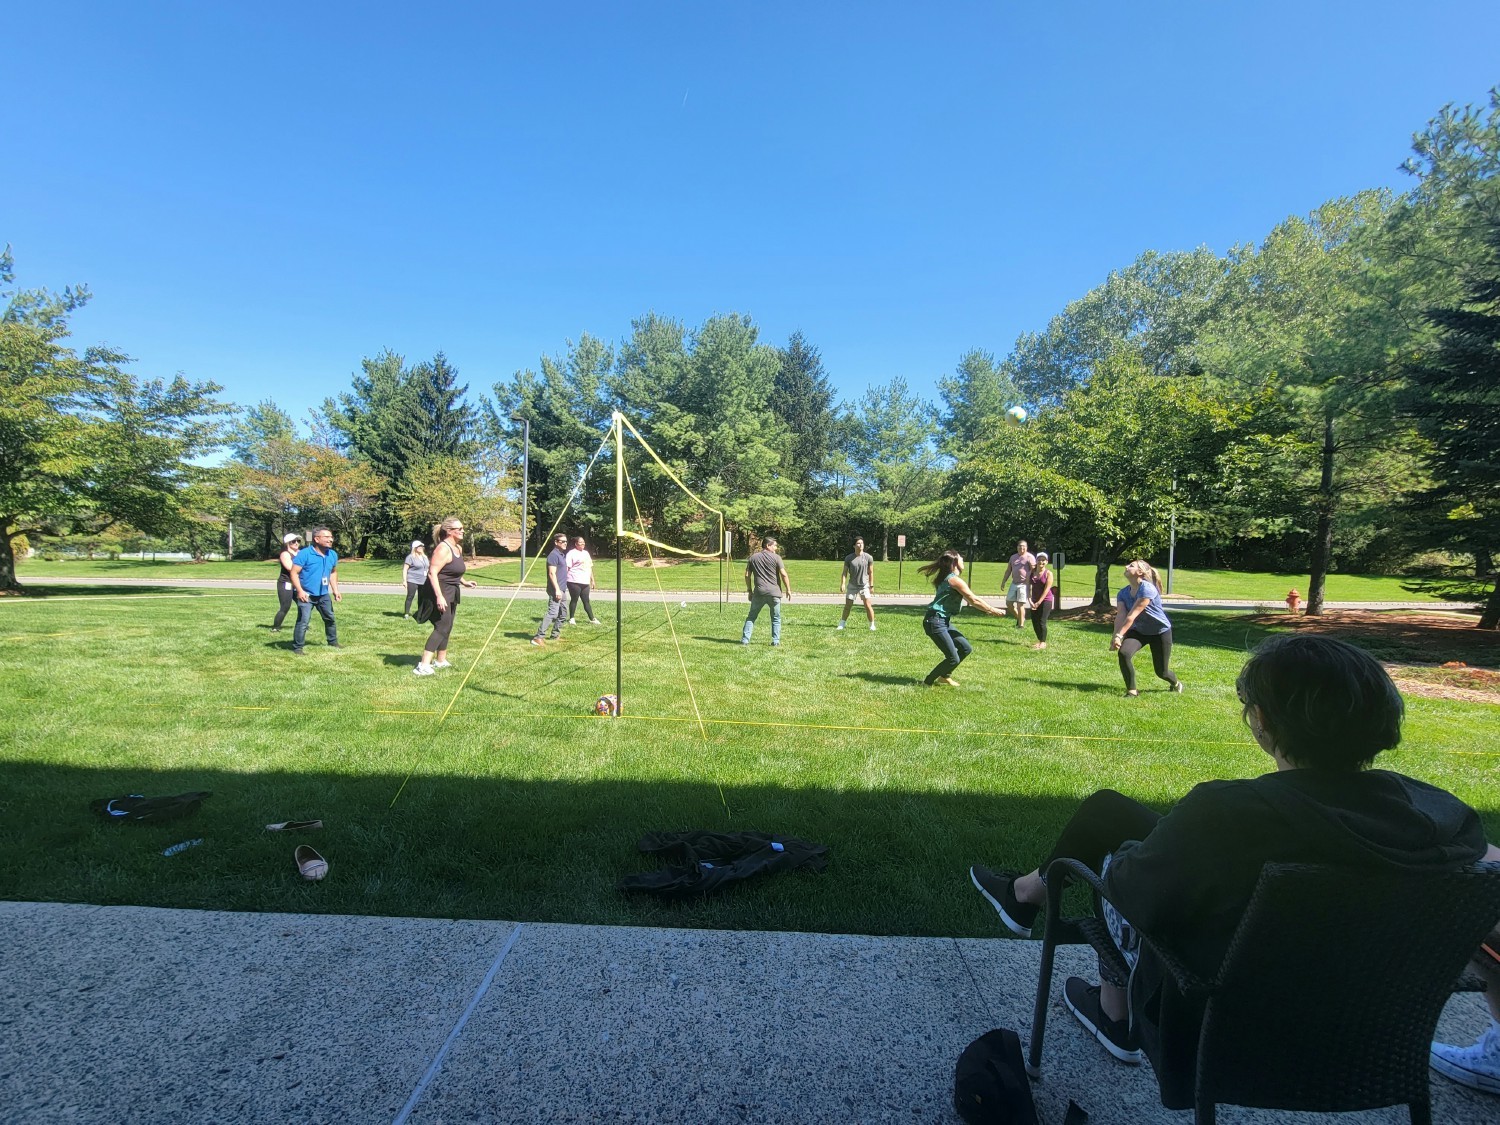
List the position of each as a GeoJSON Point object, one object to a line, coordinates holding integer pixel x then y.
{"type": "Point", "coordinates": [263, 194]}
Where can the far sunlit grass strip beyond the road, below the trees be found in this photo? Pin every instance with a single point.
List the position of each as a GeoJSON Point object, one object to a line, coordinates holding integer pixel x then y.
{"type": "Point", "coordinates": [809, 577]}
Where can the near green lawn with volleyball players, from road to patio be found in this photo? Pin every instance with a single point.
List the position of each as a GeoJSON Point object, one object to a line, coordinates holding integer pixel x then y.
{"type": "Point", "coordinates": [524, 806]}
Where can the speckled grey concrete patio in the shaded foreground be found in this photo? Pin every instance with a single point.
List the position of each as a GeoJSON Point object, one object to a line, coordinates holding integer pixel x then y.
{"type": "Point", "coordinates": [184, 1016]}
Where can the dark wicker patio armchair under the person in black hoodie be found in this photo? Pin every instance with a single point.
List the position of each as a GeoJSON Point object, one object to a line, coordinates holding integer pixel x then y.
{"type": "Point", "coordinates": [1328, 995]}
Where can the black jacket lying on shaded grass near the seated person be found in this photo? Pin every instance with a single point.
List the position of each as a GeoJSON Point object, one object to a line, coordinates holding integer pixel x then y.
{"type": "Point", "coordinates": [701, 863]}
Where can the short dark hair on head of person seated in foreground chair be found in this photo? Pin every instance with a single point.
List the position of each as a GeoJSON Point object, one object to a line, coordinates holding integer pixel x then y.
{"type": "Point", "coordinates": [1327, 704]}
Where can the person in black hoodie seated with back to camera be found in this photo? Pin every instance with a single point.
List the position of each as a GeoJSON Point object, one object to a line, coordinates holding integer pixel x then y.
{"type": "Point", "coordinates": [1322, 710]}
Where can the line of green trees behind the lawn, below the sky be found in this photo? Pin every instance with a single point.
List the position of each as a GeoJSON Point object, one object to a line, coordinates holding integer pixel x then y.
{"type": "Point", "coordinates": [1322, 400]}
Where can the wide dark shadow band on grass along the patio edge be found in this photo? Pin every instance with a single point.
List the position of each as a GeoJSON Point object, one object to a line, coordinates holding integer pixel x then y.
{"type": "Point", "coordinates": [464, 847]}
